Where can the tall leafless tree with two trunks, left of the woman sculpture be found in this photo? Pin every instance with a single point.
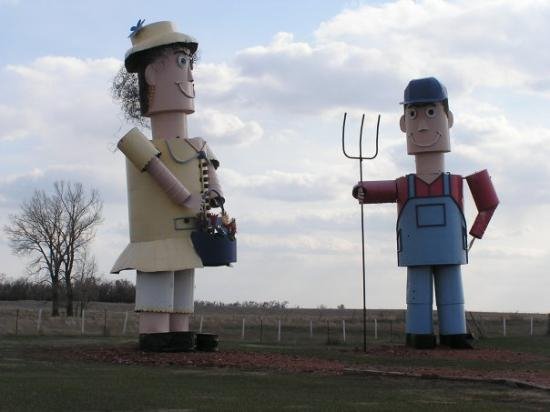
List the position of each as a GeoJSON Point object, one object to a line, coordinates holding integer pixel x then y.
{"type": "Point", "coordinates": [53, 230]}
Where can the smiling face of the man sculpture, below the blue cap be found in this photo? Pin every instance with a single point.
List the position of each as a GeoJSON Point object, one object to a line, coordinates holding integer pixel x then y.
{"type": "Point", "coordinates": [427, 128]}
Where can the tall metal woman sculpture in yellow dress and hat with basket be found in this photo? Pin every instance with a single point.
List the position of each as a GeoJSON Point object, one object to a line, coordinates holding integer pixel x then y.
{"type": "Point", "coordinates": [172, 186]}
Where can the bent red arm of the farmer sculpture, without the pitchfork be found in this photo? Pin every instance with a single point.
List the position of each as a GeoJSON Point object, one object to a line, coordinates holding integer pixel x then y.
{"type": "Point", "coordinates": [486, 201]}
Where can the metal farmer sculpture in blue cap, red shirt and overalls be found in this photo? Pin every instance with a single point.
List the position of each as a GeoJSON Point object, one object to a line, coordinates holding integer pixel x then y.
{"type": "Point", "coordinates": [431, 229]}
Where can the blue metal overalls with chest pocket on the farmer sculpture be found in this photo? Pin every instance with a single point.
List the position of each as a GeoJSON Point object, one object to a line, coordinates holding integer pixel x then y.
{"type": "Point", "coordinates": [432, 241]}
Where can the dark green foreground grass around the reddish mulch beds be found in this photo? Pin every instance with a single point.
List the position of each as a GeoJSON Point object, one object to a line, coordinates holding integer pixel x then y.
{"type": "Point", "coordinates": [32, 379]}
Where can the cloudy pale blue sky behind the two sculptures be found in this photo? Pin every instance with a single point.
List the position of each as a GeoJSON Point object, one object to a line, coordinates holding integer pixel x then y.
{"type": "Point", "coordinates": [273, 82]}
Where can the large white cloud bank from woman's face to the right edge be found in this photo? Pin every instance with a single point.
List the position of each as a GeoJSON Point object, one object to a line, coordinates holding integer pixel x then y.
{"type": "Point", "coordinates": [365, 56]}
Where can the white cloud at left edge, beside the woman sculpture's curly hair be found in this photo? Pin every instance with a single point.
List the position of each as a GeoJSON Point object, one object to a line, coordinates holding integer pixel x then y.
{"type": "Point", "coordinates": [59, 100]}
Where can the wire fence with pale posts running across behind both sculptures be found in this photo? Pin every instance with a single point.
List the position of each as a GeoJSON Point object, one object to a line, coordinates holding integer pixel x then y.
{"type": "Point", "coordinates": [281, 327]}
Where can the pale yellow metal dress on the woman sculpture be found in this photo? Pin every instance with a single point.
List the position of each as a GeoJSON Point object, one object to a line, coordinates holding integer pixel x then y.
{"type": "Point", "coordinates": [160, 230]}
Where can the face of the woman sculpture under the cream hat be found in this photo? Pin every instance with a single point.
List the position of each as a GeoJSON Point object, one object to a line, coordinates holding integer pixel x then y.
{"type": "Point", "coordinates": [170, 78]}
